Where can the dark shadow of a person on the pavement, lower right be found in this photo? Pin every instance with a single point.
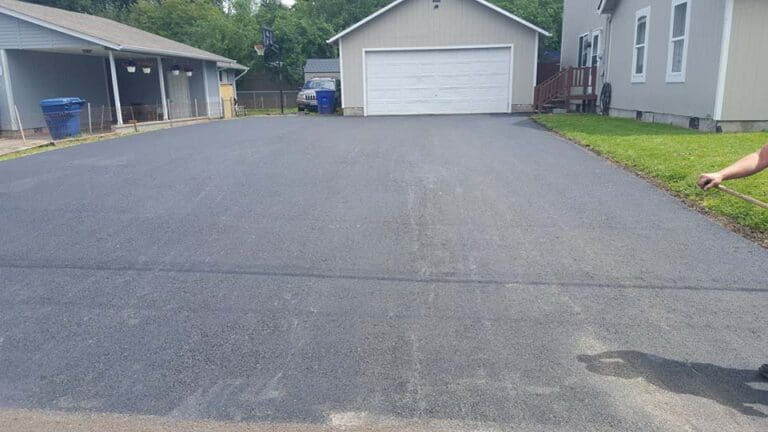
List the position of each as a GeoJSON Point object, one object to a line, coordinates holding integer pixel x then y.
{"type": "Point", "coordinates": [728, 387]}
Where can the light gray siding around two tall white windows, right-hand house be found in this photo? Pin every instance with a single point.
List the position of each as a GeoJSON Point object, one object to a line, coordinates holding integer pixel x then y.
{"type": "Point", "coordinates": [693, 98]}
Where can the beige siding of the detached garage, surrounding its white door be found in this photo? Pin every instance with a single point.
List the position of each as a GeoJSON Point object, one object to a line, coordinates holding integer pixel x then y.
{"type": "Point", "coordinates": [415, 23]}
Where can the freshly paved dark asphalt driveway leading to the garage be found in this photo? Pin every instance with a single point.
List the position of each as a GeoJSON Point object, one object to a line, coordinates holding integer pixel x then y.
{"type": "Point", "coordinates": [440, 273]}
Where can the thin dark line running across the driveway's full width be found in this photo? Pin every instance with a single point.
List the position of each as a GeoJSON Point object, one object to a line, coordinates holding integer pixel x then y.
{"type": "Point", "coordinates": [380, 278]}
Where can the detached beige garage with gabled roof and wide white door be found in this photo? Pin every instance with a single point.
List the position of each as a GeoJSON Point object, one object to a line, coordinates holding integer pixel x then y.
{"type": "Point", "coordinates": [438, 57]}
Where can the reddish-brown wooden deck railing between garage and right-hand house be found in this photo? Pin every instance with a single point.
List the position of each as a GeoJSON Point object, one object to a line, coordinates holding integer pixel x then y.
{"type": "Point", "coordinates": [569, 84]}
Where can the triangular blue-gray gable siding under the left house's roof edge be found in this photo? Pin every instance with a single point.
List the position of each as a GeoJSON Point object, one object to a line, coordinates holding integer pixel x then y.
{"type": "Point", "coordinates": [18, 34]}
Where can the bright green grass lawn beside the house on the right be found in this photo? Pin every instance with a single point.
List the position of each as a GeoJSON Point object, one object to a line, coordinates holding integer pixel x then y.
{"type": "Point", "coordinates": [675, 157]}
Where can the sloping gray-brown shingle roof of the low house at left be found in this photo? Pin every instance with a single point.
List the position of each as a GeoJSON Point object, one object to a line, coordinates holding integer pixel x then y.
{"type": "Point", "coordinates": [102, 31]}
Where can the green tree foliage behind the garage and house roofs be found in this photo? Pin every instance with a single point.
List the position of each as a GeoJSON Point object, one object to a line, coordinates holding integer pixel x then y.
{"type": "Point", "coordinates": [231, 27]}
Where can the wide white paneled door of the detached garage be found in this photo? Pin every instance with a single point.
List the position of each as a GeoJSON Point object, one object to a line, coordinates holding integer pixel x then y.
{"type": "Point", "coordinates": [438, 81]}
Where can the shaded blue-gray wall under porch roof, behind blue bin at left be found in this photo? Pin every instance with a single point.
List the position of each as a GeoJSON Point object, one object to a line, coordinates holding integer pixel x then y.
{"type": "Point", "coordinates": [38, 75]}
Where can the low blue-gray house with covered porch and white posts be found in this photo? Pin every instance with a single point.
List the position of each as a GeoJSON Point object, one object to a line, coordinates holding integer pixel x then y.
{"type": "Point", "coordinates": [125, 74]}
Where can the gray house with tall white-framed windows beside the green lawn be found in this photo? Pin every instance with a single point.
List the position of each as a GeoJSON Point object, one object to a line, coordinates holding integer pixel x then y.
{"type": "Point", "coordinates": [692, 63]}
